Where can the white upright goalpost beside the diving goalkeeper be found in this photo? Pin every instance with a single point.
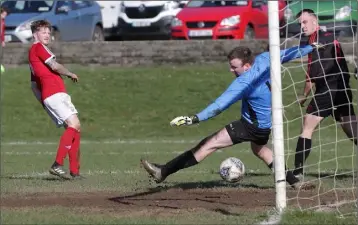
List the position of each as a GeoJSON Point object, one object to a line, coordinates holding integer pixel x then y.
{"type": "Point", "coordinates": [277, 118]}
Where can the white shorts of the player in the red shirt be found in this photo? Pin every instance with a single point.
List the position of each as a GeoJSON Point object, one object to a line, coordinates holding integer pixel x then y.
{"type": "Point", "coordinates": [59, 107]}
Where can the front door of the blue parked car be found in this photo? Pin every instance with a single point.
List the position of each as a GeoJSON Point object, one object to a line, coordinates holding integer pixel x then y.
{"type": "Point", "coordinates": [69, 21]}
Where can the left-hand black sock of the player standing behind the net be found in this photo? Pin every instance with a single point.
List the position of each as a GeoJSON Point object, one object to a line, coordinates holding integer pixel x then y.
{"type": "Point", "coordinates": [303, 150]}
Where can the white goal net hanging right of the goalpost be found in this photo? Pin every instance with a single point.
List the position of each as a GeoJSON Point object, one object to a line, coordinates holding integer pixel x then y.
{"type": "Point", "coordinates": [332, 162]}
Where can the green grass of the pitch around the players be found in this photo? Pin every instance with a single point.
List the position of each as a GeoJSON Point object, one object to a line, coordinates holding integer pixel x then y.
{"type": "Point", "coordinates": [125, 114]}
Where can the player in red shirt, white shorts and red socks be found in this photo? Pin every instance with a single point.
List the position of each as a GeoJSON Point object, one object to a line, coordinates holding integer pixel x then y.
{"type": "Point", "coordinates": [49, 89]}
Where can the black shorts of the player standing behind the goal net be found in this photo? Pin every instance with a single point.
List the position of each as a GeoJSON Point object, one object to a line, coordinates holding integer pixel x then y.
{"type": "Point", "coordinates": [336, 102]}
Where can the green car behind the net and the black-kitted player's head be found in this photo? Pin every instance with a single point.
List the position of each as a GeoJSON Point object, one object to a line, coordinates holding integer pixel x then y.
{"type": "Point", "coordinates": [337, 16]}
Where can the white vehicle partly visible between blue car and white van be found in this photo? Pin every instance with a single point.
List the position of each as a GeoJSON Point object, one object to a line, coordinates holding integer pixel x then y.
{"type": "Point", "coordinates": [110, 14]}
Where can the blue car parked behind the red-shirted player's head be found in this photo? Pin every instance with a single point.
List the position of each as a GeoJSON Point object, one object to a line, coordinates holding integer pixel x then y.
{"type": "Point", "coordinates": [71, 20]}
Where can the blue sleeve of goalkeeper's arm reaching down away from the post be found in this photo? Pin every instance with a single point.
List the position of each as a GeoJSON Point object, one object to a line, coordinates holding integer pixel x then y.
{"type": "Point", "coordinates": [237, 89]}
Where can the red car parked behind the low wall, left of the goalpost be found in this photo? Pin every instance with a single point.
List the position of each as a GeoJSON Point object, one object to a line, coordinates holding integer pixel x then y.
{"type": "Point", "coordinates": [245, 19]}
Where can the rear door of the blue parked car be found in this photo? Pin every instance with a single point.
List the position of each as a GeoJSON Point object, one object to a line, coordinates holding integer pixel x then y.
{"type": "Point", "coordinates": [88, 15]}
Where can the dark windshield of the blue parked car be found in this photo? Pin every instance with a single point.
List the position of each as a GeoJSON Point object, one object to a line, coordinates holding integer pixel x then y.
{"type": "Point", "coordinates": [28, 6]}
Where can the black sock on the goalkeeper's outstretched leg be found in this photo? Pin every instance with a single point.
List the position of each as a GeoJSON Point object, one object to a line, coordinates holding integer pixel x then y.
{"type": "Point", "coordinates": [182, 161]}
